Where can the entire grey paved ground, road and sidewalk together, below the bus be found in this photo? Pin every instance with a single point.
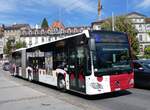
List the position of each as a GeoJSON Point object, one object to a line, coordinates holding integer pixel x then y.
{"type": "Point", "coordinates": [19, 94]}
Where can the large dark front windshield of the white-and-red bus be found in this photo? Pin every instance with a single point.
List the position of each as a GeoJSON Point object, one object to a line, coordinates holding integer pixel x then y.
{"type": "Point", "coordinates": [111, 58]}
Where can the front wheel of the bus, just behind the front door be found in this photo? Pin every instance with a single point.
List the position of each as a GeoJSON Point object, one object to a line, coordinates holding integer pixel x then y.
{"type": "Point", "coordinates": [61, 85]}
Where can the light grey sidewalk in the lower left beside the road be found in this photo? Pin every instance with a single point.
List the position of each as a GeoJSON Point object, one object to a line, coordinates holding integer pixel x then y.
{"type": "Point", "coordinates": [15, 96]}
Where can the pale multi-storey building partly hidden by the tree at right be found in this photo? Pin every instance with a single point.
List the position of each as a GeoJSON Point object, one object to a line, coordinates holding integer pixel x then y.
{"type": "Point", "coordinates": [142, 25]}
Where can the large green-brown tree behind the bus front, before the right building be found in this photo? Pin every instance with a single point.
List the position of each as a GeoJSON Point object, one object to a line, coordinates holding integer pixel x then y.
{"type": "Point", "coordinates": [123, 24]}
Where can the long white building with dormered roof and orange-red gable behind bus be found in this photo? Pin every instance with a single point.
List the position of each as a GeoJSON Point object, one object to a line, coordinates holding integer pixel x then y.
{"type": "Point", "coordinates": [56, 31]}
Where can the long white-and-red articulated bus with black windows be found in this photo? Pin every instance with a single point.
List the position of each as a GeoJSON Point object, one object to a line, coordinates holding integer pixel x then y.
{"type": "Point", "coordinates": [90, 63]}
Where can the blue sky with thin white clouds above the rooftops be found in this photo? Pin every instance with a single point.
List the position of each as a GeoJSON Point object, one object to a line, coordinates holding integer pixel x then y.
{"type": "Point", "coordinates": [70, 12]}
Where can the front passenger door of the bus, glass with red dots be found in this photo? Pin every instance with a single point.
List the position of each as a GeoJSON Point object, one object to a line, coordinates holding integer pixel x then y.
{"type": "Point", "coordinates": [76, 69]}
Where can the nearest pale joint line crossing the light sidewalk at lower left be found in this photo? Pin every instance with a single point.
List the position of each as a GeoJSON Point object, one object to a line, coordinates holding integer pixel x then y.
{"type": "Point", "coordinates": [22, 99]}
